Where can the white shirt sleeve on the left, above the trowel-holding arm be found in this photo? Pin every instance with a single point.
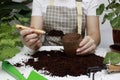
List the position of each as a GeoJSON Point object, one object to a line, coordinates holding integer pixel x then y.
{"type": "Point", "coordinates": [36, 8]}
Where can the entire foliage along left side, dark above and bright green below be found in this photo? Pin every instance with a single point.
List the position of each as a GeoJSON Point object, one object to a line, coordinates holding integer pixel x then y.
{"type": "Point", "coordinates": [12, 13]}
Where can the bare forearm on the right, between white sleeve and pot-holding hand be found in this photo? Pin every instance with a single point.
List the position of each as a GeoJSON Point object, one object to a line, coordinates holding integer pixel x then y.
{"type": "Point", "coordinates": [93, 29]}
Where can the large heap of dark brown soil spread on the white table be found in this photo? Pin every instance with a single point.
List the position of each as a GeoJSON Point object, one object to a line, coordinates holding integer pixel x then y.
{"type": "Point", "coordinates": [57, 63]}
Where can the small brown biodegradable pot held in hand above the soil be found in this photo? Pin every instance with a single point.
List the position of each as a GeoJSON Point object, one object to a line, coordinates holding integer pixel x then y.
{"type": "Point", "coordinates": [71, 42]}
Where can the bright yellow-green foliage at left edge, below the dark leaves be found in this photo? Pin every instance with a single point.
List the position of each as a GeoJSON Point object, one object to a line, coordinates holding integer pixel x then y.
{"type": "Point", "coordinates": [9, 39]}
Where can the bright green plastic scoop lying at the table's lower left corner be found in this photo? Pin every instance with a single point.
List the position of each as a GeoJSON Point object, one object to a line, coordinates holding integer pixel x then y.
{"type": "Point", "coordinates": [9, 68]}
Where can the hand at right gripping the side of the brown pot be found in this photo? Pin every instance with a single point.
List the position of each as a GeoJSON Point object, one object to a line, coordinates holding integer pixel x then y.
{"type": "Point", "coordinates": [86, 46]}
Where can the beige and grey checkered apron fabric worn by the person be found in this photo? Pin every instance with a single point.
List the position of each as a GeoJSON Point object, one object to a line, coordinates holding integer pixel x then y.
{"type": "Point", "coordinates": [60, 18]}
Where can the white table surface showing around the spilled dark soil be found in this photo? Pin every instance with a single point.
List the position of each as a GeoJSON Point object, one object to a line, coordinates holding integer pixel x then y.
{"type": "Point", "coordinates": [102, 75]}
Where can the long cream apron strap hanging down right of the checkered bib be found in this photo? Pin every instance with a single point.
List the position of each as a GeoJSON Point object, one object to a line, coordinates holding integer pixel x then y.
{"type": "Point", "coordinates": [79, 15]}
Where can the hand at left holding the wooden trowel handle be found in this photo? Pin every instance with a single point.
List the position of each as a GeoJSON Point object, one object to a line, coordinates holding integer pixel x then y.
{"type": "Point", "coordinates": [31, 39]}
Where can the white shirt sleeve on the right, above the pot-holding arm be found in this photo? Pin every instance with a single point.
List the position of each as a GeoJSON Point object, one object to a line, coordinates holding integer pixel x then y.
{"type": "Point", "coordinates": [91, 8]}
